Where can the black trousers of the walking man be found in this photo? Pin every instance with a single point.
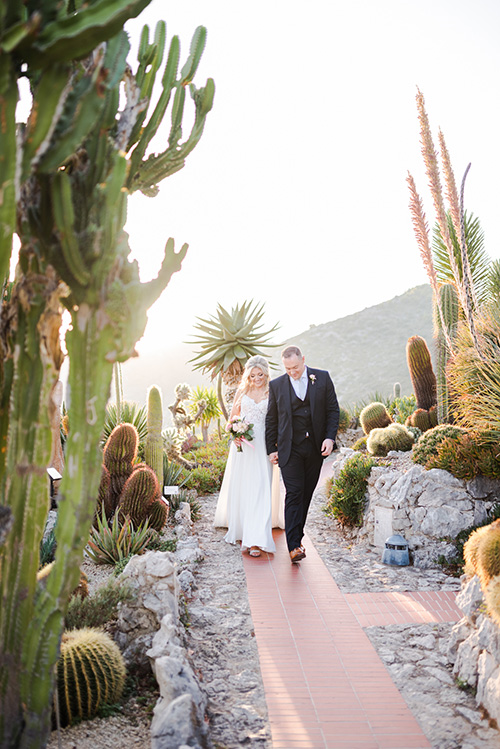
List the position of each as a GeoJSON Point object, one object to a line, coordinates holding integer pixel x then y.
{"type": "Point", "coordinates": [300, 476]}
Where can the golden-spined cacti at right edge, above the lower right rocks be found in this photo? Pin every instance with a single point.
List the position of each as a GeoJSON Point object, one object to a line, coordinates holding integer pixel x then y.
{"type": "Point", "coordinates": [482, 558]}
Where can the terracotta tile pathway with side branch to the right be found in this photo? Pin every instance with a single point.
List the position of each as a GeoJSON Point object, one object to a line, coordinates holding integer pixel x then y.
{"type": "Point", "coordinates": [325, 685]}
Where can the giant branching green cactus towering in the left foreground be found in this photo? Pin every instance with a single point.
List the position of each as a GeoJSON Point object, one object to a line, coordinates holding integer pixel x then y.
{"type": "Point", "coordinates": [65, 178]}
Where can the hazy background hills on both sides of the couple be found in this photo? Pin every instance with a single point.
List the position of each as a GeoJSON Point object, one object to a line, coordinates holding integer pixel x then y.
{"type": "Point", "coordinates": [364, 352]}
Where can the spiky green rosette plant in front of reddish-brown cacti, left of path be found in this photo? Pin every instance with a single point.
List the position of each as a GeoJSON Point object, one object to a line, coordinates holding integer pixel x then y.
{"type": "Point", "coordinates": [110, 544]}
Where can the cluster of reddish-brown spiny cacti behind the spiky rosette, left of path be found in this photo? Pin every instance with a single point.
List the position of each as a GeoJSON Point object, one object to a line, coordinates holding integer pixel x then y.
{"type": "Point", "coordinates": [132, 490]}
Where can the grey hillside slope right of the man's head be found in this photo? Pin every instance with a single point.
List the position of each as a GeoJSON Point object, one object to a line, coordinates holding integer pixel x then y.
{"type": "Point", "coordinates": [366, 352]}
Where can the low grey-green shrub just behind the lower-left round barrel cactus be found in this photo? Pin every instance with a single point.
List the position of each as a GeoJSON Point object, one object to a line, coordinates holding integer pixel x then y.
{"type": "Point", "coordinates": [98, 608]}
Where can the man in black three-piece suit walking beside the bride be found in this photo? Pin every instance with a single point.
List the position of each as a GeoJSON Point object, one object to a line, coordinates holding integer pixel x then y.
{"type": "Point", "coordinates": [301, 425]}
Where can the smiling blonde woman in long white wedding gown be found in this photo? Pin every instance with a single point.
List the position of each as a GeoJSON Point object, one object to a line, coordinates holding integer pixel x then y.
{"type": "Point", "coordinates": [250, 504]}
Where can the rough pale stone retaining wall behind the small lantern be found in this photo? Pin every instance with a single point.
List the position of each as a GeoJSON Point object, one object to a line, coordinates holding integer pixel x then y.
{"type": "Point", "coordinates": [428, 508]}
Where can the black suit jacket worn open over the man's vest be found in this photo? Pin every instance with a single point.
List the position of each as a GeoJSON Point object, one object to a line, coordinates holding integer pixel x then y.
{"type": "Point", "coordinates": [324, 413]}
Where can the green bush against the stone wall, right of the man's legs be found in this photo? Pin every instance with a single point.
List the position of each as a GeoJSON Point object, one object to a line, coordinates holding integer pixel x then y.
{"type": "Point", "coordinates": [346, 494]}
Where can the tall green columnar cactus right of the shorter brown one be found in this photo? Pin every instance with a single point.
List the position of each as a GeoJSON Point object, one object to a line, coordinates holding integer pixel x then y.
{"type": "Point", "coordinates": [445, 329]}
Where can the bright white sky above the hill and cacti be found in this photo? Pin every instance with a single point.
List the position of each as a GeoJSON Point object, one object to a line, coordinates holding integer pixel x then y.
{"type": "Point", "coordinates": [296, 195]}
